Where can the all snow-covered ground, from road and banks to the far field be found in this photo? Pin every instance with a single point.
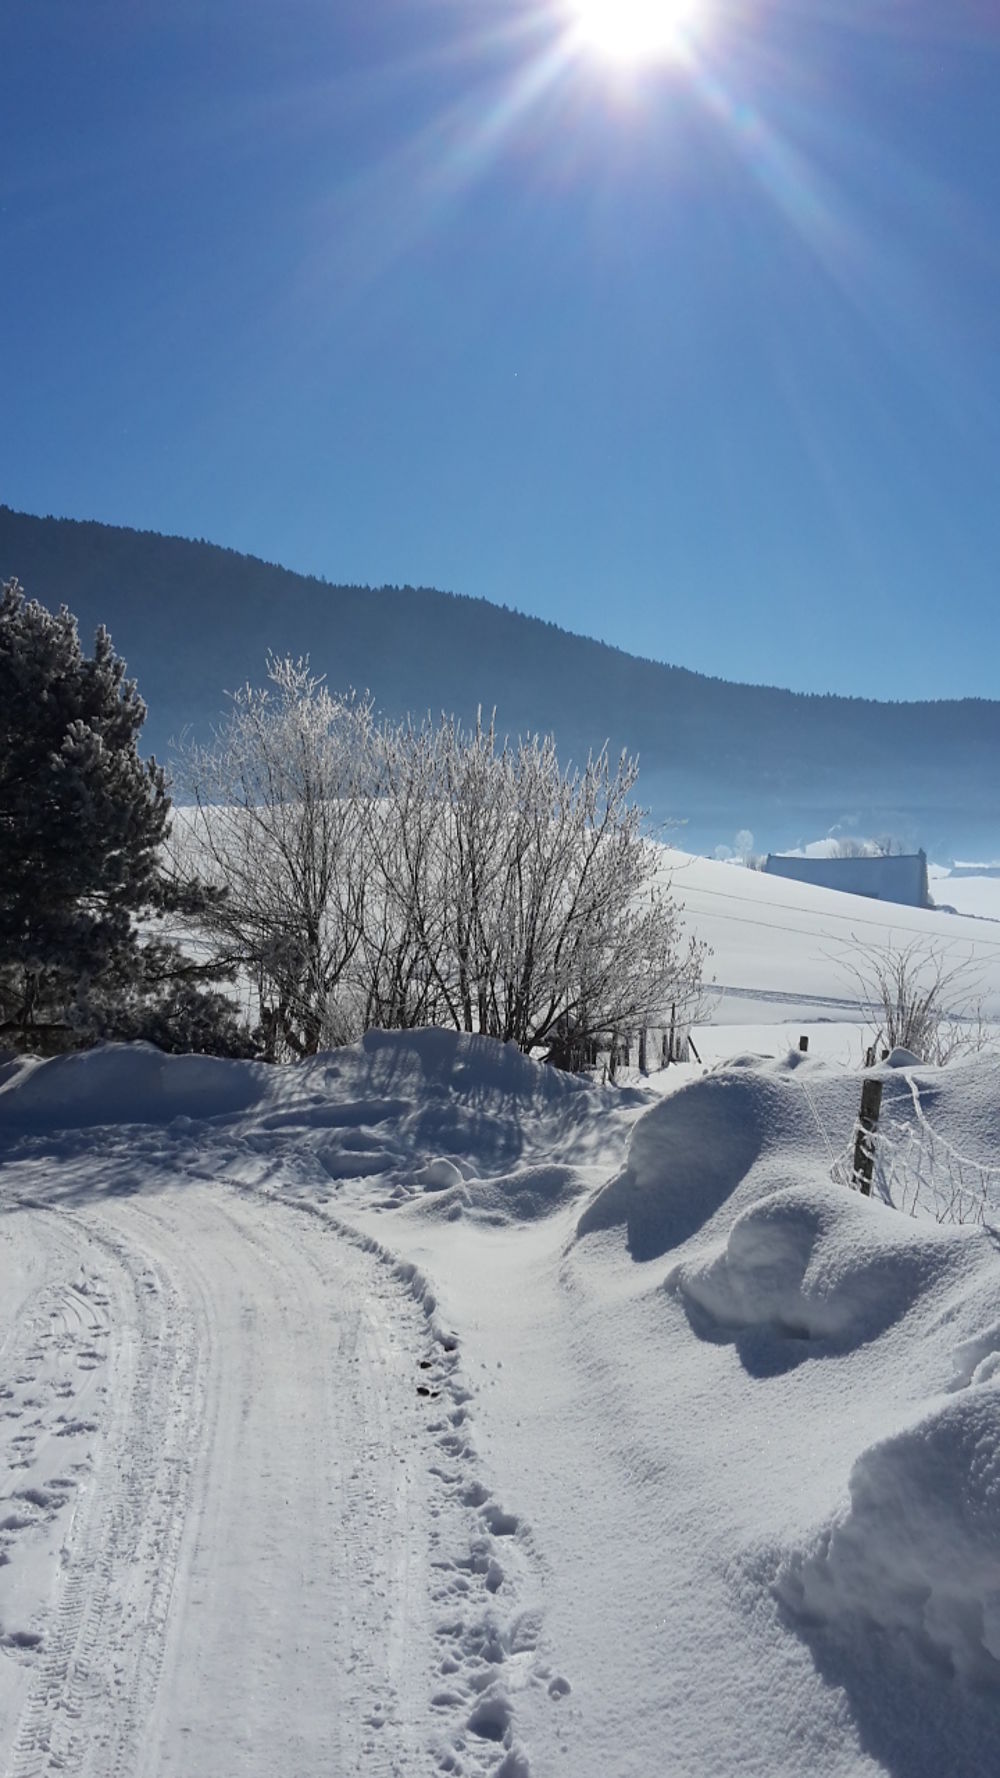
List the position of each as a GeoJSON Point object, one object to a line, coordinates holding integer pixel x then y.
{"type": "Point", "coordinates": [423, 1411]}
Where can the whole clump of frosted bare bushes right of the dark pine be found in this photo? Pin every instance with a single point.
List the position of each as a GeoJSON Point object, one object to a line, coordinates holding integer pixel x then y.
{"type": "Point", "coordinates": [428, 876]}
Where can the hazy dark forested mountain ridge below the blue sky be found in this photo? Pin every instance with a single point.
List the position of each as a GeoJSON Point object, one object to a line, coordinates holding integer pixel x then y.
{"type": "Point", "coordinates": [195, 620]}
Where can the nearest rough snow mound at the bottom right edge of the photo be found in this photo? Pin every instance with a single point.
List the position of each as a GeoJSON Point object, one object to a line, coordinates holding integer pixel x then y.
{"type": "Point", "coordinates": [919, 1550]}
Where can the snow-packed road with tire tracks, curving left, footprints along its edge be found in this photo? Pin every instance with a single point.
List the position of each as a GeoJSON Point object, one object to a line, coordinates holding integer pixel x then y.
{"type": "Point", "coordinates": [243, 1526]}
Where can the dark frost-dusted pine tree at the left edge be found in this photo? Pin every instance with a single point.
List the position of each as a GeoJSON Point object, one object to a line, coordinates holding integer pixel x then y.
{"type": "Point", "coordinates": [83, 821]}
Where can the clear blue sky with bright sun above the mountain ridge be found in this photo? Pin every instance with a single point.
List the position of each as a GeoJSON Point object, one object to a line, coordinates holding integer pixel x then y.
{"type": "Point", "coordinates": [679, 332]}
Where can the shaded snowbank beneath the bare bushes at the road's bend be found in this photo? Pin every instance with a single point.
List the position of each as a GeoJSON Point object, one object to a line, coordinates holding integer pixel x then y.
{"type": "Point", "coordinates": [465, 1125]}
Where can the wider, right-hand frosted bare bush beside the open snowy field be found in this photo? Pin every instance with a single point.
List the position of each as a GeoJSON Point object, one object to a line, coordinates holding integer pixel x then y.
{"type": "Point", "coordinates": [556, 929]}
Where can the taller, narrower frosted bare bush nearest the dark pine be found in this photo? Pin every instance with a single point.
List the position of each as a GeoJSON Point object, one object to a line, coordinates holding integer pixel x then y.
{"type": "Point", "coordinates": [277, 824]}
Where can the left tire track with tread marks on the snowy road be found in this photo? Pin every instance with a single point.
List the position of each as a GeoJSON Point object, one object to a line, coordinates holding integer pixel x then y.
{"type": "Point", "coordinates": [97, 1649]}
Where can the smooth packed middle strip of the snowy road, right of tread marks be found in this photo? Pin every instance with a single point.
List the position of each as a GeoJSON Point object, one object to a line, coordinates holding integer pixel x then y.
{"type": "Point", "coordinates": [303, 1498]}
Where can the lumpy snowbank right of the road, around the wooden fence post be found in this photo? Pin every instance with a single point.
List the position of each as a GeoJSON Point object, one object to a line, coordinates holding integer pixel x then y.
{"type": "Point", "coordinates": [803, 1279]}
